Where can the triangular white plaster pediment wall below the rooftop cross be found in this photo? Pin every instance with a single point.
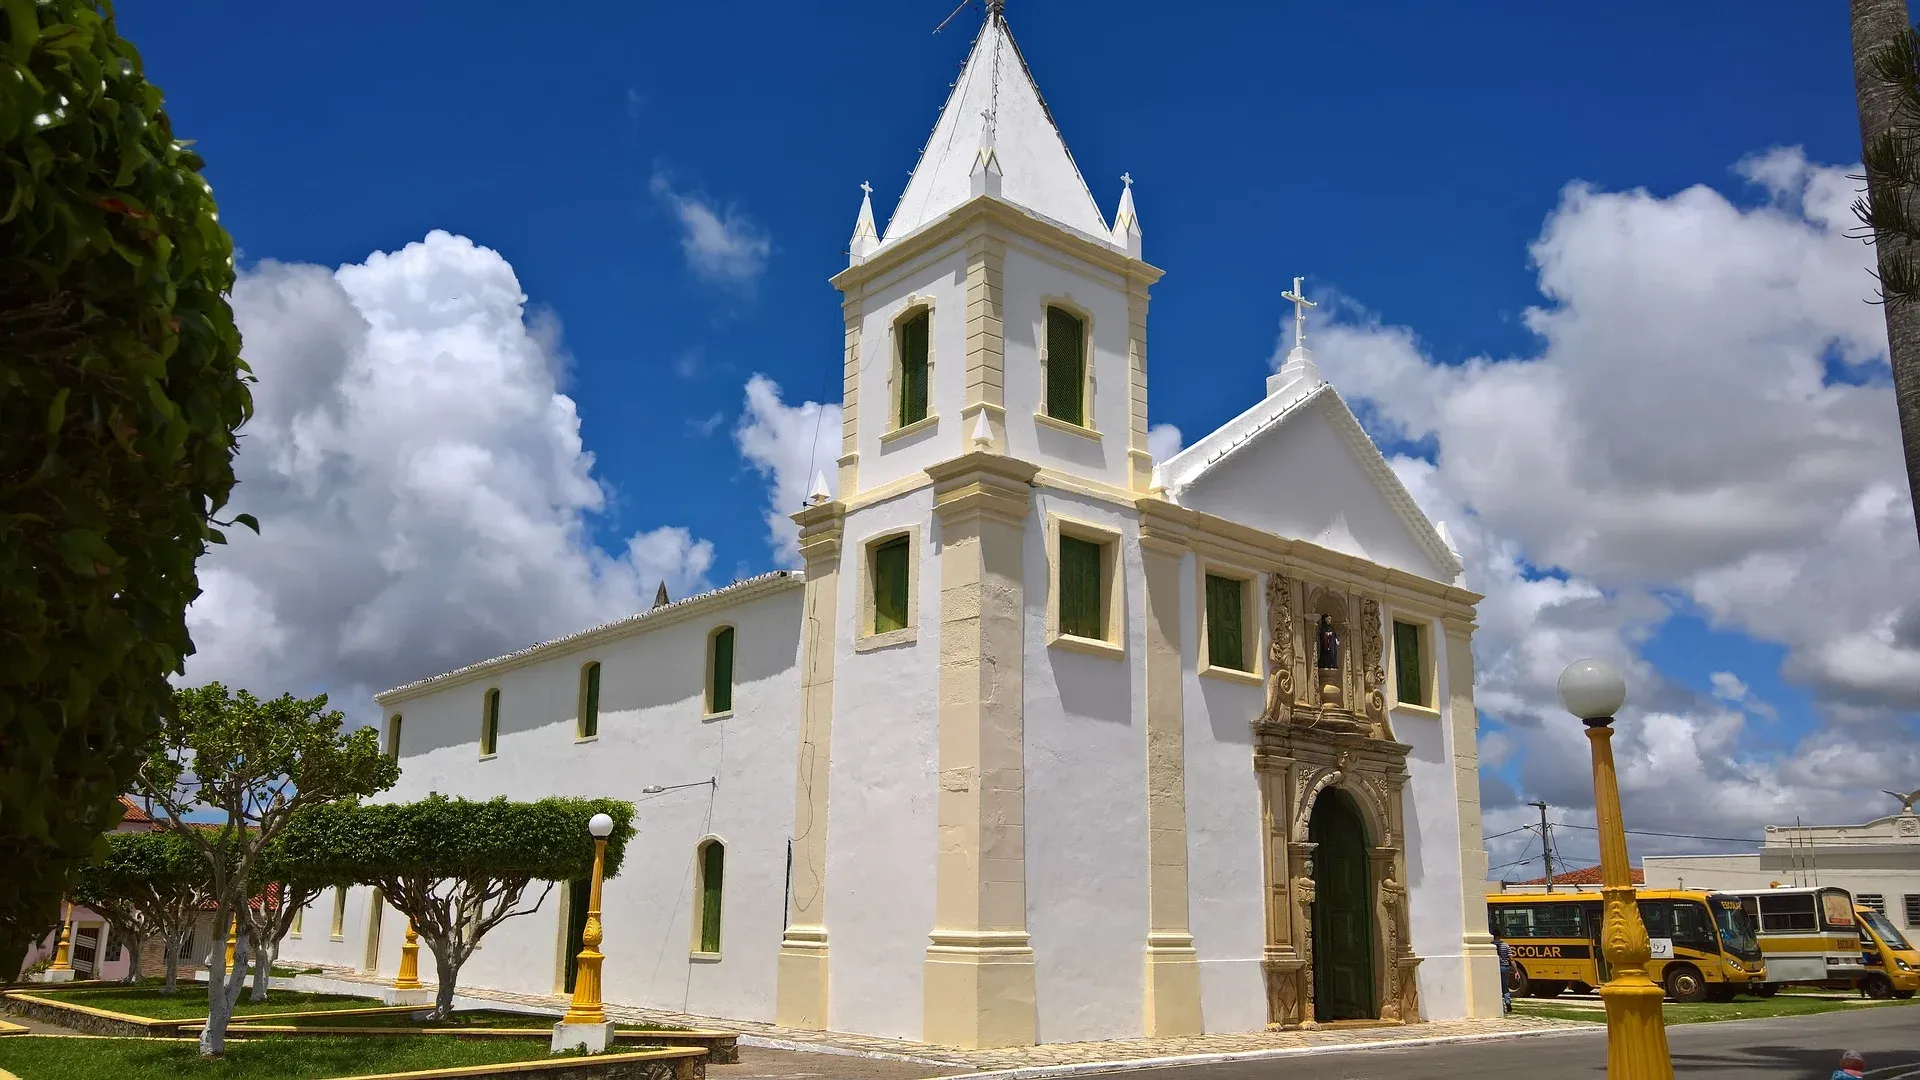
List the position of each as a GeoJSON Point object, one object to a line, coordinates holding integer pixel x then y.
{"type": "Point", "coordinates": [1301, 479]}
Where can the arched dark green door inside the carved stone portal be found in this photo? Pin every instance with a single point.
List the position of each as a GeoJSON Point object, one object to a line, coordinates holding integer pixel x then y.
{"type": "Point", "coordinates": [1343, 912]}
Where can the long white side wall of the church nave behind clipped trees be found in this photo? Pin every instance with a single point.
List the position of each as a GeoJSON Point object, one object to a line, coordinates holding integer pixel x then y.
{"type": "Point", "coordinates": [652, 731]}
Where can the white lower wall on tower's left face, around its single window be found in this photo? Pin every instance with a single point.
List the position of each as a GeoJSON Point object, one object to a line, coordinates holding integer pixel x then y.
{"type": "Point", "coordinates": [882, 785]}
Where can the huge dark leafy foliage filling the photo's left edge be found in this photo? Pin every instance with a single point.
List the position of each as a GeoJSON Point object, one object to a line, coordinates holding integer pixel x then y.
{"type": "Point", "coordinates": [120, 393]}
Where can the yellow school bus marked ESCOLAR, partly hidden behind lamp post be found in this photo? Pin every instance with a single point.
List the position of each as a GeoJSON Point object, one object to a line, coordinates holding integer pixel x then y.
{"type": "Point", "coordinates": [1704, 946]}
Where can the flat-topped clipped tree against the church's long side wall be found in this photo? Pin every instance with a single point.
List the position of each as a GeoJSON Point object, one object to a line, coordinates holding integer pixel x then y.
{"type": "Point", "coordinates": [458, 868]}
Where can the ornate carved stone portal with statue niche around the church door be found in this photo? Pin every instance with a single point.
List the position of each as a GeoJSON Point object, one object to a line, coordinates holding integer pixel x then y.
{"type": "Point", "coordinates": [1328, 731]}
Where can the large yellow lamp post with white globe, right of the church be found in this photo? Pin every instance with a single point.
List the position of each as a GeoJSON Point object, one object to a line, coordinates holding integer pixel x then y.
{"type": "Point", "coordinates": [1637, 1033]}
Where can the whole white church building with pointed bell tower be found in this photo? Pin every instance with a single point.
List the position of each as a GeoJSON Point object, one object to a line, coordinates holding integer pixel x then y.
{"type": "Point", "coordinates": [1047, 741]}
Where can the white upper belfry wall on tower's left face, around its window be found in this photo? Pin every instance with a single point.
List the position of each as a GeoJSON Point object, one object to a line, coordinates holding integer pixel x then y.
{"type": "Point", "coordinates": [938, 276]}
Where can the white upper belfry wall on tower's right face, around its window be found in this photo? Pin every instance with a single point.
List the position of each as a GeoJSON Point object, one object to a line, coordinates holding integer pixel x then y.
{"type": "Point", "coordinates": [1030, 283]}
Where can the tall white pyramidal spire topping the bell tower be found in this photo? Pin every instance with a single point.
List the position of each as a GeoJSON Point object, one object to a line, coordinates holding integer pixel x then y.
{"type": "Point", "coordinates": [997, 137]}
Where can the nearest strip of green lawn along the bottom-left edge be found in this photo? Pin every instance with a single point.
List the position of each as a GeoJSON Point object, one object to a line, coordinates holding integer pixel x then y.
{"type": "Point", "coordinates": [49, 1058]}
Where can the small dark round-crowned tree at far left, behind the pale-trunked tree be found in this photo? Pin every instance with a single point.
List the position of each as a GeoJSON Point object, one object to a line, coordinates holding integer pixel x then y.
{"type": "Point", "coordinates": [149, 885]}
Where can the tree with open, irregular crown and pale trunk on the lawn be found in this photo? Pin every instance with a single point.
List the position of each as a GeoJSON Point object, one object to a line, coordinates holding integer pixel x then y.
{"type": "Point", "coordinates": [252, 766]}
